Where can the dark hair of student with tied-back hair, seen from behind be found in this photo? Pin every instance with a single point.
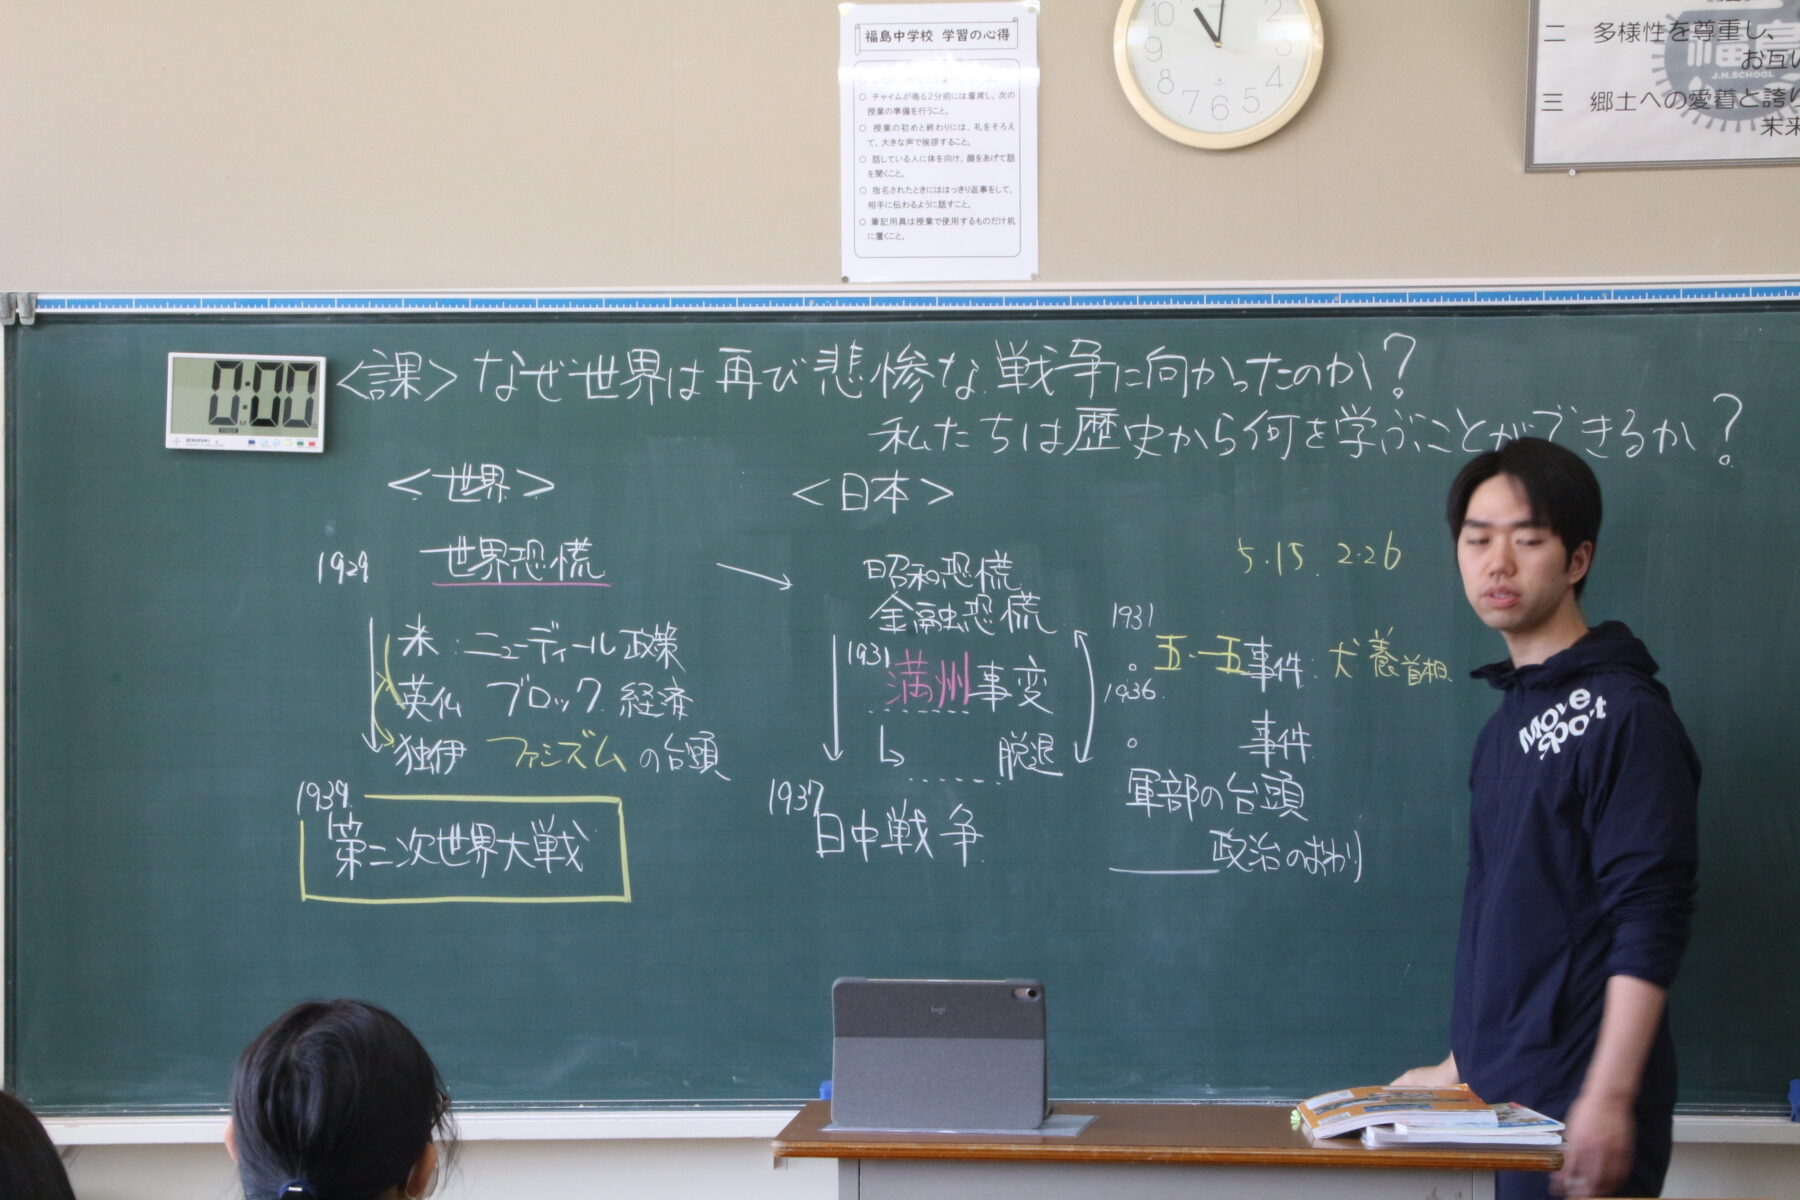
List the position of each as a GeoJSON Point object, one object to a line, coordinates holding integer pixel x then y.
{"type": "Point", "coordinates": [334, 1102]}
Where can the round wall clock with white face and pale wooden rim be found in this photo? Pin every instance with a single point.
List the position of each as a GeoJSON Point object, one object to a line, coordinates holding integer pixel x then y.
{"type": "Point", "coordinates": [1218, 73]}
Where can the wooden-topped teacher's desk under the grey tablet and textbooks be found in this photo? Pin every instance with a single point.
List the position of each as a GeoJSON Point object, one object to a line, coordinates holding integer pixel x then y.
{"type": "Point", "coordinates": [1149, 1152]}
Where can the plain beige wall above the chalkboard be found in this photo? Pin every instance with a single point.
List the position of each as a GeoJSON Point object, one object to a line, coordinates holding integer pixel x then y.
{"type": "Point", "coordinates": [647, 145]}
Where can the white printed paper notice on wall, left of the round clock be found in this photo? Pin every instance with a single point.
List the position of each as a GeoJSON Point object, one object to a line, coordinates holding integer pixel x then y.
{"type": "Point", "coordinates": [939, 134]}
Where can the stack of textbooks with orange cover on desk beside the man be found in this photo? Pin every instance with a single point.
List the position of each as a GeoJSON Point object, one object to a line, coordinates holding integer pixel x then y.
{"type": "Point", "coordinates": [1426, 1116]}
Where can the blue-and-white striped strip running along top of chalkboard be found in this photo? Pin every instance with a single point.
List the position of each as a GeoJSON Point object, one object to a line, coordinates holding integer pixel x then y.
{"type": "Point", "coordinates": [951, 301]}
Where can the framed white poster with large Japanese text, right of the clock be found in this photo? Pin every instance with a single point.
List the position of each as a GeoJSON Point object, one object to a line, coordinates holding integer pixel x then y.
{"type": "Point", "coordinates": [1639, 84]}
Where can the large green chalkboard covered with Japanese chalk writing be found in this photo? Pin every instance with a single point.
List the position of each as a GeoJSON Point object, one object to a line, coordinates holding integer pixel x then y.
{"type": "Point", "coordinates": [606, 688]}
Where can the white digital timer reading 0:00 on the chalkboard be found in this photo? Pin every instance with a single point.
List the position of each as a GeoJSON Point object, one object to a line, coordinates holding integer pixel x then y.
{"type": "Point", "coordinates": [247, 402]}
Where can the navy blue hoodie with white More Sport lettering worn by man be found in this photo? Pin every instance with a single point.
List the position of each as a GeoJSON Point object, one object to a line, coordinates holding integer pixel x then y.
{"type": "Point", "coordinates": [1581, 866]}
